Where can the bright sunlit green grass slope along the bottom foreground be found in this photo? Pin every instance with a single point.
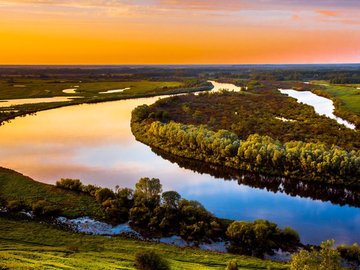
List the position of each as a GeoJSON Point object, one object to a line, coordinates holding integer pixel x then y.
{"type": "Point", "coordinates": [47, 247]}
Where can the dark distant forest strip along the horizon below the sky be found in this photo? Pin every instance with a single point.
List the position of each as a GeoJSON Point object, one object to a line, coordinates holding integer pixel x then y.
{"type": "Point", "coordinates": [339, 74]}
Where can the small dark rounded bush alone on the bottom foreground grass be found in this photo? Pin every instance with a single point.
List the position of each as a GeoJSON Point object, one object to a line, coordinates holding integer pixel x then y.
{"type": "Point", "coordinates": [149, 260]}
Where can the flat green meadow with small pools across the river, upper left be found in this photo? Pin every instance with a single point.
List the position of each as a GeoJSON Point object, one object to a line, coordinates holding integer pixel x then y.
{"type": "Point", "coordinates": [86, 92]}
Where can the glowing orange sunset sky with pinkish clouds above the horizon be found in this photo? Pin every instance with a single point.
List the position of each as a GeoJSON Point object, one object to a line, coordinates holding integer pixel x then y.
{"type": "Point", "coordinates": [178, 32]}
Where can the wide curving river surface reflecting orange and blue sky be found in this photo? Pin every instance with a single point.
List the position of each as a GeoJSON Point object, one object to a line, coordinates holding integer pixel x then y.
{"type": "Point", "coordinates": [94, 143]}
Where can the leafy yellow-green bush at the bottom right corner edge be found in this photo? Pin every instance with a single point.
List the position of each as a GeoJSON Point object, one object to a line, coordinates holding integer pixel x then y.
{"type": "Point", "coordinates": [327, 258]}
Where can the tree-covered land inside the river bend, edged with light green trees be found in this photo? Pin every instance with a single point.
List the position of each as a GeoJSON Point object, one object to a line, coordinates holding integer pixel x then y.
{"type": "Point", "coordinates": [259, 131]}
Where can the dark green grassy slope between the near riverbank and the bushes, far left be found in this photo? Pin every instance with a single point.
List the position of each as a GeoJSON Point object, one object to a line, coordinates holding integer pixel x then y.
{"type": "Point", "coordinates": [15, 186]}
